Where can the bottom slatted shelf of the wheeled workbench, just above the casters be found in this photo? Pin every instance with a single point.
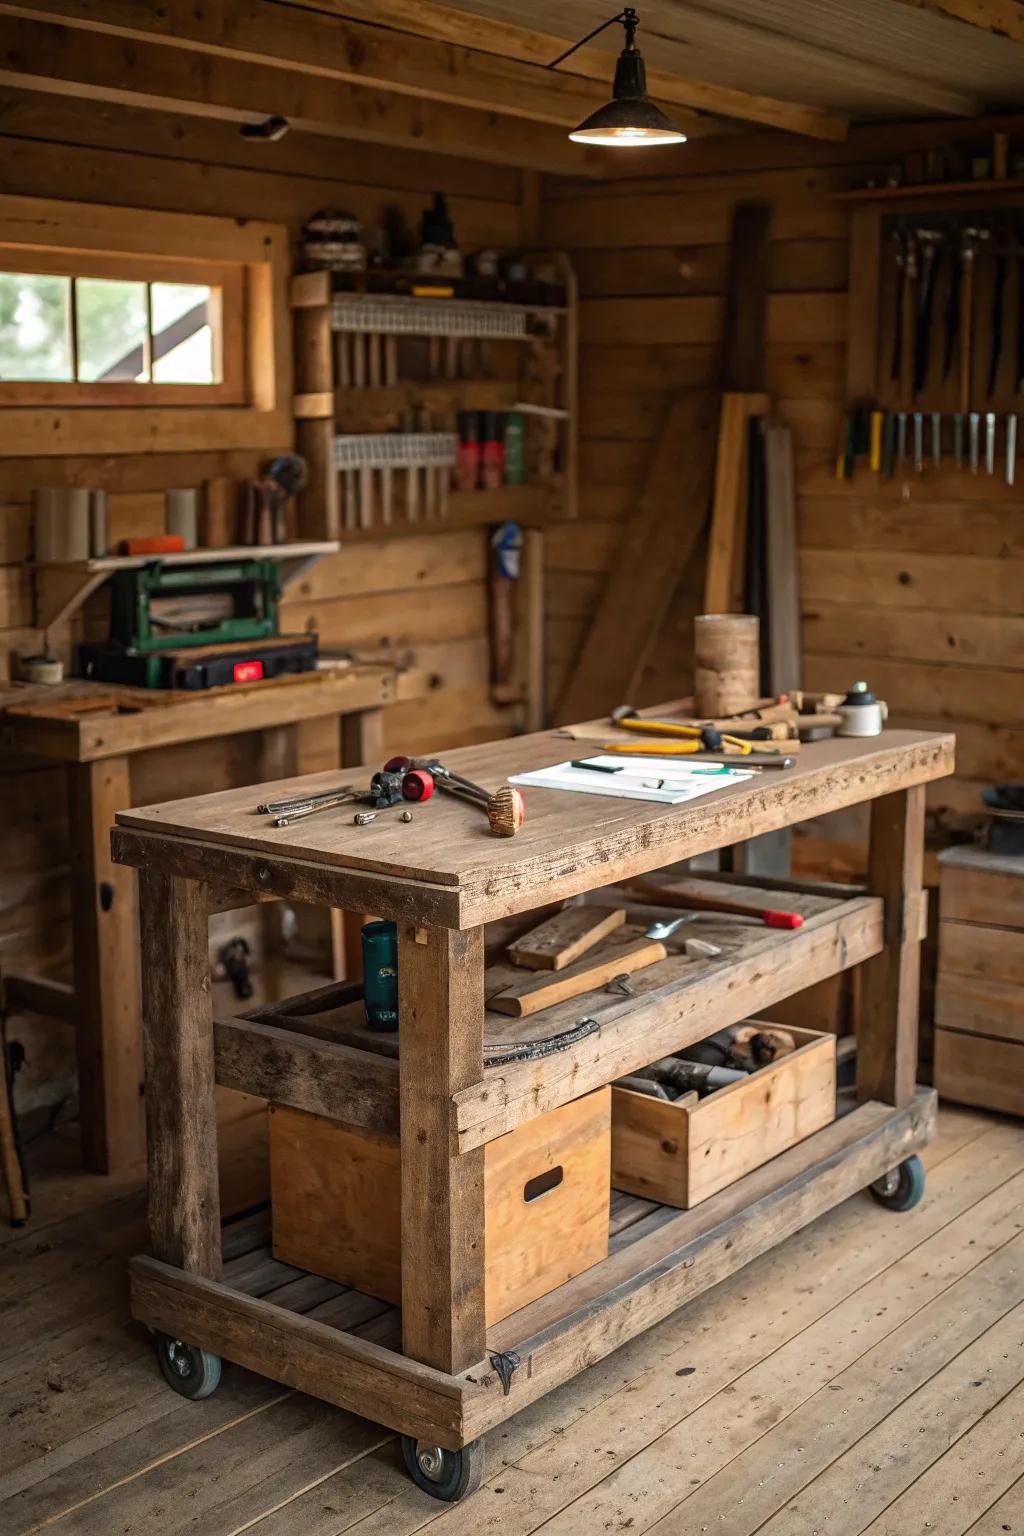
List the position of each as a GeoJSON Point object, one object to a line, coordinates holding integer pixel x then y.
{"type": "Point", "coordinates": [343, 1346]}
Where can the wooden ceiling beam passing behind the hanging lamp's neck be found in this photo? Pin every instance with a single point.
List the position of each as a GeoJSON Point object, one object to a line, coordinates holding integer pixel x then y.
{"type": "Point", "coordinates": [489, 35]}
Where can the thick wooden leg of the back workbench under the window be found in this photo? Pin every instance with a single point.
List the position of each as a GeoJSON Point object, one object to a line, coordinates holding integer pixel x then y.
{"type": "Point", "coordinates": [107, 972]}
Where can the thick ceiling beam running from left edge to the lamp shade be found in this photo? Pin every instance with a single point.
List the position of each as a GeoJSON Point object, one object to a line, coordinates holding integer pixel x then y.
{"type": "Point", "coordinates": [39, 56]}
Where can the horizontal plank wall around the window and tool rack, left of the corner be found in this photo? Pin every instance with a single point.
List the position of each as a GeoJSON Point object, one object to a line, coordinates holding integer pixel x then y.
{"type": "Point", "coordinates": [418, 594]}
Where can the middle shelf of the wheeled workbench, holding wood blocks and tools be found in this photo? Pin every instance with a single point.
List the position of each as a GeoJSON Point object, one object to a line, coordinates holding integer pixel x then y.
{"type": "Point", "coordinates": [317, 1054]}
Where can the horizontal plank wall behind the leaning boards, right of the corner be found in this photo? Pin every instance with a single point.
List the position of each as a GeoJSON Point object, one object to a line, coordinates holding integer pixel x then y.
{"type": "Point", "coordinates": [911, 583]}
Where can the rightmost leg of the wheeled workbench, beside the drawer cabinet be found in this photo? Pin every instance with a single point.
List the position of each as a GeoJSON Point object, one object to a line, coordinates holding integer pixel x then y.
{"type": "Point", "coordinates": [888, 1016]}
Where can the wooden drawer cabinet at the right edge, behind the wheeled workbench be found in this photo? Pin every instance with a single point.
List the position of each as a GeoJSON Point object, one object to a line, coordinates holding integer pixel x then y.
{"type": "Point", "coordinates": [980, 993]}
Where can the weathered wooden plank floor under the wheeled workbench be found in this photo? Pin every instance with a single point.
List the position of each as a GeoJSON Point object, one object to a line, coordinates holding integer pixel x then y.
{"type": "Point", "coordinates": [867, 1377]}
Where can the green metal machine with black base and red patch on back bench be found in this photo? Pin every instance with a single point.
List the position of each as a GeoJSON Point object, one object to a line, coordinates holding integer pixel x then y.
{"type": "Point", "coordinates": [230, 647]}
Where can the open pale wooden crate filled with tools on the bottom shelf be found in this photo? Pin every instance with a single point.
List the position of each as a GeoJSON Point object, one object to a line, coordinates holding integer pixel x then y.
{"type": "Point", "coordinates": [681, 1154]}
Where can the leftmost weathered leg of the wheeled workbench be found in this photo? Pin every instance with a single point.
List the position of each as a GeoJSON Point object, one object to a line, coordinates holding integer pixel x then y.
{"type": "Point", "coordinates": [185, 1208]}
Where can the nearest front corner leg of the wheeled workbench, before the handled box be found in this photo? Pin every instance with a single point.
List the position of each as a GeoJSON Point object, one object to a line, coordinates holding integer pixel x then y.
{"type": "Point", "coordinates": [441, 1051]}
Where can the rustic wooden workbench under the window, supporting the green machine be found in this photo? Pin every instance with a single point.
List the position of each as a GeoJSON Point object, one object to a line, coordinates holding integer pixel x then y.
{"type": "Point", "coordinates": [96, 730]}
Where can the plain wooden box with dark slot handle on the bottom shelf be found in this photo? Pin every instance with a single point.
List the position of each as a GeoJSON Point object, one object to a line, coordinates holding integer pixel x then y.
{"type": "Point", "coordinates": [335, 1197]}
